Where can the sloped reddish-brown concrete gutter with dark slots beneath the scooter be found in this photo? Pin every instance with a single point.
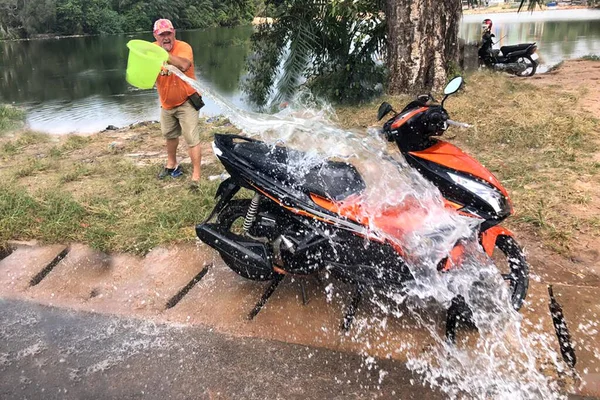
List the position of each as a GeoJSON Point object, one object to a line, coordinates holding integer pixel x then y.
{"type": "Point", "coordinates": [220, 301]}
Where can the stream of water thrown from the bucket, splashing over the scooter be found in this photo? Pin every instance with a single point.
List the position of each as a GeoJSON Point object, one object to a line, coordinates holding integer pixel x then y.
{"type": "Point", "coordinates": [502, 363]}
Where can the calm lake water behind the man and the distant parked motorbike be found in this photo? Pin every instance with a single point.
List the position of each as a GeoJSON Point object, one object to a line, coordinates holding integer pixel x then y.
{"type": "Point", "coordinates": [78, 84]}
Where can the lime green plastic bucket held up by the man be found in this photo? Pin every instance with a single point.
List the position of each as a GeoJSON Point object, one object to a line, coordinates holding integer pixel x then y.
{"type": "Point", "coordinates": [144, 63]}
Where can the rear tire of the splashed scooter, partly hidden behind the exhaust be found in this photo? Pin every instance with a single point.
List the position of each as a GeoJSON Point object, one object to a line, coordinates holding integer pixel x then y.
{"type": "Point", "coordinates": [234, 211]}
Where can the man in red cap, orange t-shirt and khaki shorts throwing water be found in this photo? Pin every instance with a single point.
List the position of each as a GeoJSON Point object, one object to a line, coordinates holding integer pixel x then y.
{"type": "Point", "coordinates": [178, 116]}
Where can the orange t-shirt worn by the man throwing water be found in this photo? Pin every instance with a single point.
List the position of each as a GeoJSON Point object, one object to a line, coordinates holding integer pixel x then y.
{"type": "Point", "coordinates": [172, 91]}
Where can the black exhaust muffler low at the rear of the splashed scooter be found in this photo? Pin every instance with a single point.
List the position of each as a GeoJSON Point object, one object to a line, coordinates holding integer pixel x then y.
{"type": "Point", "coordinates": [251, 253]}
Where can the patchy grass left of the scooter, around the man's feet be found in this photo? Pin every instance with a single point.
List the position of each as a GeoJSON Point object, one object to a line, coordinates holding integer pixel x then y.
{"type": "Point", "coordinates": [78, 190]}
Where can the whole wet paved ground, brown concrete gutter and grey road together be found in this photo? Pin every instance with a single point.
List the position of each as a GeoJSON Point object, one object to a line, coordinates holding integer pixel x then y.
{"type": "Point", "coordinates": [174, 325]}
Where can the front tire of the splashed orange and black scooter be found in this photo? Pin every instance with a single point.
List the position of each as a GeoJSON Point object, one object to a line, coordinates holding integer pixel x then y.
{"type": "Point", "coordinates": [514, 268]}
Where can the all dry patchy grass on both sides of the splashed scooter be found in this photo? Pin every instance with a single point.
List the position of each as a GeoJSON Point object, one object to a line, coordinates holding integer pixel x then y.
{"type": "Point", "coordinates": [83, 189]}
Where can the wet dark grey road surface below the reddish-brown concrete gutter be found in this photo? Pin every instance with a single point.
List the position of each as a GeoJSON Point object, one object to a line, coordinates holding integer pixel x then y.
{"type": "Point", "coordinates": [53, 353]}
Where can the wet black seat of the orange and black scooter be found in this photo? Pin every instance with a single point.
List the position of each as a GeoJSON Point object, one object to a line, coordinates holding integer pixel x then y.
{"type": "Point", "coordinates": [331, 179]}
